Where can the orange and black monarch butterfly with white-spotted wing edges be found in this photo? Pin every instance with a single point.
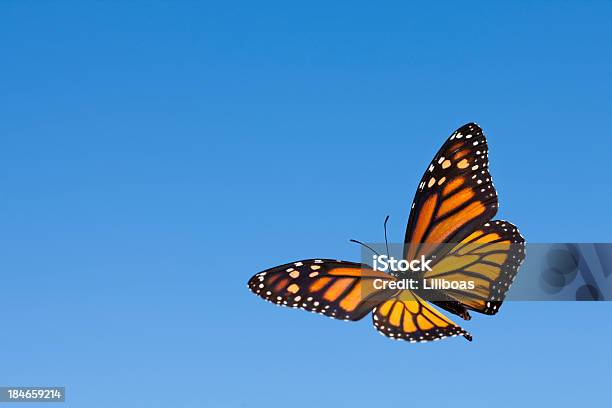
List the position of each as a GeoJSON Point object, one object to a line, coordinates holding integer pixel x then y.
{"type": "Point", "coordinates": [454, 203]}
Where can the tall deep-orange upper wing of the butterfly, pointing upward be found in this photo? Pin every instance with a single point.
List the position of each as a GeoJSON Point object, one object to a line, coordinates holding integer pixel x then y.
{"type": "Point", "coordinates": [455, 195]}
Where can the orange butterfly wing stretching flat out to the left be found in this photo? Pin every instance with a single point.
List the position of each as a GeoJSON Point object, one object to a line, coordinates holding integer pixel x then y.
{"type": "Point", "coordinates": [338, 289]}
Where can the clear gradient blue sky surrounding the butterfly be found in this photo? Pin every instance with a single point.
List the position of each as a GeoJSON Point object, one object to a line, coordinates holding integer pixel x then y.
{"type": "Point", "coordinates": [153, 156]}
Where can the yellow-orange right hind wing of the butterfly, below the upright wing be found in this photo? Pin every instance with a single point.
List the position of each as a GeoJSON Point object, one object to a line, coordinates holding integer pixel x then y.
{"type": "Point", "coordinates": [490, 258]}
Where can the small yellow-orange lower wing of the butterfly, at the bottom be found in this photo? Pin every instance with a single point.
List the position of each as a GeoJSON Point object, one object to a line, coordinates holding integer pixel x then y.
{"type": "Point", "coordinates": [408, 317]}
